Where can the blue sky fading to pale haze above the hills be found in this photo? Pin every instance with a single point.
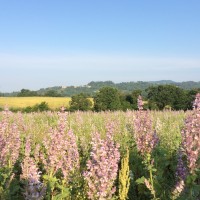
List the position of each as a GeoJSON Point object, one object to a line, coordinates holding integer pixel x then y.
{"type": "Point", "coordinates": [47, 43]}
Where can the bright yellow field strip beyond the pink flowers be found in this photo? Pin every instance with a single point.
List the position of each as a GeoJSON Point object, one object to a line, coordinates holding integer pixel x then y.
{"type": "Point", "coordinates": [21, 102]}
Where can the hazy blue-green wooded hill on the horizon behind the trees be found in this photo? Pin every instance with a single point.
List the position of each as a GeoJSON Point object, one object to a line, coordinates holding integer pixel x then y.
{"type": "Point", "coordinates": [92, 87]}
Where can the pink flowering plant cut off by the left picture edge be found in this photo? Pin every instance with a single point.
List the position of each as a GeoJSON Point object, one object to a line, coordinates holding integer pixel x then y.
{"type": "Point", "coordinates": [9, 147]}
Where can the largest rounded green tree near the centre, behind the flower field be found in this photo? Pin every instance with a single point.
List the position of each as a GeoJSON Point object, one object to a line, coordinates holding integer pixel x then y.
{"type": "Point", "coordinates": [107, 98]}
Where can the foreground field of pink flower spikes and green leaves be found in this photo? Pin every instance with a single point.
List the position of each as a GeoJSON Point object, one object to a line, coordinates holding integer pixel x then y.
{"type": "Point", "coordinates": [136, 155]}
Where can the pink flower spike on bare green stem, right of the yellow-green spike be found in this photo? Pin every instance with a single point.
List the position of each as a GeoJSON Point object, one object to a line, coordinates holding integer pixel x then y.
{"type": "Point", "coordinates": [146, 140]}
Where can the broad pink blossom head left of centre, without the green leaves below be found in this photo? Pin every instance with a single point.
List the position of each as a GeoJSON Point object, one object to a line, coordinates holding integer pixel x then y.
{"type": "Point", "coordinates": [61, 150]}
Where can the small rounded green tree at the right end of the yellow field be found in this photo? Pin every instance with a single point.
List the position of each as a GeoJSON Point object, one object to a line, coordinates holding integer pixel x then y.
{"type": "Point", "coordinates": [80, 102]}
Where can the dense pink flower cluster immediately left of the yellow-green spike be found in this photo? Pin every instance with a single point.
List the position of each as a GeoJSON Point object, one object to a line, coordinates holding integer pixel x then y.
{"type": "Point", "coordinates": [102, 168]}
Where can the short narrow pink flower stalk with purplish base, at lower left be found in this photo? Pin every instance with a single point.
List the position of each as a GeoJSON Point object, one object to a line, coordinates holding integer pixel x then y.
{"type": "Point", "coordinates": [34, 189]}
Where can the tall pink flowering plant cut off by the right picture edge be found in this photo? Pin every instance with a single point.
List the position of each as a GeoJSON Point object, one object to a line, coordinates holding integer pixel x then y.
{"type": "Point", "coordinates": [188, 156]}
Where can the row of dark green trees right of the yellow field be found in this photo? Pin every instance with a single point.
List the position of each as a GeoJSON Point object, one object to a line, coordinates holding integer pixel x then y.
{"type": "Point", "coordinates": [155, 98]}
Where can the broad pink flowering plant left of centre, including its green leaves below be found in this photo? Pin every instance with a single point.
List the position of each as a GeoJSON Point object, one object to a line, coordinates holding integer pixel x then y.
{"type": "Point", "coordinates": [61, 156]}
